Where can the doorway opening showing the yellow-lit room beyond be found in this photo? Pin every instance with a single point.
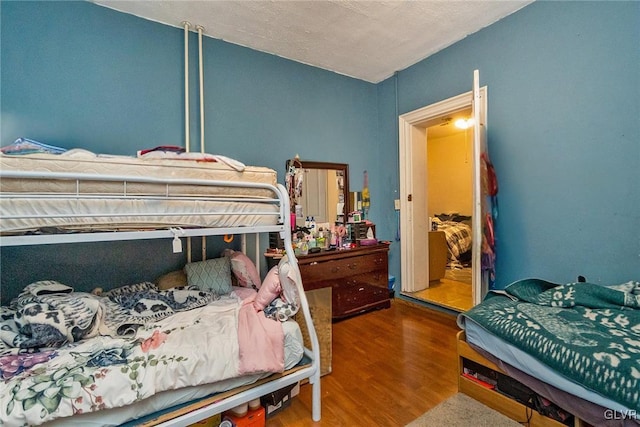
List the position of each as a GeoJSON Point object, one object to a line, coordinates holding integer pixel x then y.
{"type": "Point", "coordinates": [449, 185]}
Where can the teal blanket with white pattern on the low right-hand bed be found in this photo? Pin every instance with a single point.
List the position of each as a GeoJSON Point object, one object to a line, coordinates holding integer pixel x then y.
{"type": "Point", "coordinates": [589, 333]}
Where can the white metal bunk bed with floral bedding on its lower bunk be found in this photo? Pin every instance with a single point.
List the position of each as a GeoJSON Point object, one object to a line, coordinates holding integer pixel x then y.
{"type": "Point", "coordinates": [83, 197]}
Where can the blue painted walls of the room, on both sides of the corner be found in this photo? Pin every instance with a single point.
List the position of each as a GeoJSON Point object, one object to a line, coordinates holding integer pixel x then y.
{"type": "Point", "coordinates": [563, 118]}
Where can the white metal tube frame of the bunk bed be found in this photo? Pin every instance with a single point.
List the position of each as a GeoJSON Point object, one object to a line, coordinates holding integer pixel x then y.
{"type": "Point", "coordinates": [311, 372]}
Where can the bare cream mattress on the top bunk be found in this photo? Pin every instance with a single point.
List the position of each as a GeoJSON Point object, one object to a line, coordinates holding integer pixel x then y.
{"type": "Point", "coordinates": [79, 190]}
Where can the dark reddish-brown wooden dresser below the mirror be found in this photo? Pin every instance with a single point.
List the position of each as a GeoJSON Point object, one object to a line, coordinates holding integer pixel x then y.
{"type": "Point", "coordinates": [358, 277]}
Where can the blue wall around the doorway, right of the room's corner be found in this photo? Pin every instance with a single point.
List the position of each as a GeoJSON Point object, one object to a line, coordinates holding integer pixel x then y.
{"type": "Point", "coordinates": [564, 134]}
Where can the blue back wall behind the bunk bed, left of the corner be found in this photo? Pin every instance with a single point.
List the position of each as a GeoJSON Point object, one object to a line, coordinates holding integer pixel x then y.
{"type": "Point", "coordinates": [75, 74]}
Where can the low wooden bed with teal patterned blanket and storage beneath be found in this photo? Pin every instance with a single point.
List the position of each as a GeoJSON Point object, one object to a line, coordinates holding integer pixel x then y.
{"type": "Point", "coordinates": [555, 354]}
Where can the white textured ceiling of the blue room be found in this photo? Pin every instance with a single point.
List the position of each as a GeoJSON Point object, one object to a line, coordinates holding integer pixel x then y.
{"type": "Point", "coordinates": [367, 40]}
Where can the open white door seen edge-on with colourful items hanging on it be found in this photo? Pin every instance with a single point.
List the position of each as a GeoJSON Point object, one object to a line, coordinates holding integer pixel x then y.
{"type": "Point", "coordinates": [483, 197]}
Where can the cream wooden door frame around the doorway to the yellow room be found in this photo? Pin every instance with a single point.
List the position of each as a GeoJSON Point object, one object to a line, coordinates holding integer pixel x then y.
{"type": "Point", "coordinates": [413, 229]}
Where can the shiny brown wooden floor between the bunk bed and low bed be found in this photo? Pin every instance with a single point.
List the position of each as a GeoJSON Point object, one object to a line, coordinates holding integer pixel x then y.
{"type": "Point", "coordinates": [389, 367]}
